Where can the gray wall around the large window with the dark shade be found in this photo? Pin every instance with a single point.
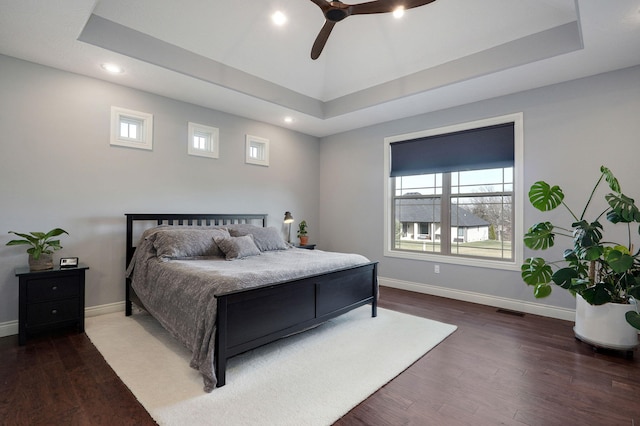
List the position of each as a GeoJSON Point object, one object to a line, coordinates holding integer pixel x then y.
{"type": "Point", "coordinates": [570, 129]}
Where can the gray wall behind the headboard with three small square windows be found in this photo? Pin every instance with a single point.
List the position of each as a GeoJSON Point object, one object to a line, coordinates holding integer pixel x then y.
{"type": "Point", "coordinates": [57, 169]}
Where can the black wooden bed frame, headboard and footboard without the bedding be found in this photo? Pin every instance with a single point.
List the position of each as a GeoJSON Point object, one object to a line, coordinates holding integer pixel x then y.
{"type": "Point", "coordinates": [254, 317]}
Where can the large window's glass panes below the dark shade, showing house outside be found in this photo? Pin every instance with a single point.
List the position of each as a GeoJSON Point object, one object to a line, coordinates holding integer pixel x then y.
{"type": "Point", "coordinates": [479, 206]}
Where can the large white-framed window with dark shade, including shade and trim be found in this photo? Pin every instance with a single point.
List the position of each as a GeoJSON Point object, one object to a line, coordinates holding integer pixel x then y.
{"type": "Point", "coordinates": [453, 194]}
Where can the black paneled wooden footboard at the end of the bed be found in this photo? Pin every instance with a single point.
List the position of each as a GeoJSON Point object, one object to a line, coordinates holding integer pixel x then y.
{"type": "Point", "coordinates": [250, 318]}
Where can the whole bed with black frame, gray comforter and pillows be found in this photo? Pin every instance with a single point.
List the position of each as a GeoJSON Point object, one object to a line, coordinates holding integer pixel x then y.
{"type": "Point", "coordinates": [220, 308]}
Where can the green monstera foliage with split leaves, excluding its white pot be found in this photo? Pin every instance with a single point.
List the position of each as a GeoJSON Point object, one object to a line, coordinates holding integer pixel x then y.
{"type": "Point", "coordinates": [600, 271]}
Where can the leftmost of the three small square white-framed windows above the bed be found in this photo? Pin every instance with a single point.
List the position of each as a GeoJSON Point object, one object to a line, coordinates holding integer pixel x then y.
{"type": "Point", "coordinates": [132, 129]}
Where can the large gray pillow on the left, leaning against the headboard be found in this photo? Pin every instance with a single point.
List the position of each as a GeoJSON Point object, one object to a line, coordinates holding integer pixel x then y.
{"type": "Point", "coordinates": [187, 243]}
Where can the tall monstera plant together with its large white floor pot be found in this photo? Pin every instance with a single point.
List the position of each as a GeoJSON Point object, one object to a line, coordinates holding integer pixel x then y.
{"type": "Point", "coordinates": [604, 275]}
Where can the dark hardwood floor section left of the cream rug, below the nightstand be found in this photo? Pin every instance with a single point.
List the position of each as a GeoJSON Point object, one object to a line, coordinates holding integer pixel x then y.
{"type": "Point", "coordinates": [62, 379]}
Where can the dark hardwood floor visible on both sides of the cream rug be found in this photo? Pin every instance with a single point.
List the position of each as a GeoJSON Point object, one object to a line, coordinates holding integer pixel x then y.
{"type": "Point", "coordinates": [497, 368]}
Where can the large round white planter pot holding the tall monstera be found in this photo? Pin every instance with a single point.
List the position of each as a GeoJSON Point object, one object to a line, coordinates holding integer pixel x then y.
{"type": "Point", "coordinates": [605, 325]}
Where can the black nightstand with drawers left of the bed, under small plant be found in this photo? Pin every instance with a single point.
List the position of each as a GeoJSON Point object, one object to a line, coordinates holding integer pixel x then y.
{"type": "Point", "coordinates": [50, 299]}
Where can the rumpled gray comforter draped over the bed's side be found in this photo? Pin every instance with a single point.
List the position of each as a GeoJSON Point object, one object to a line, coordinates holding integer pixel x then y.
{"type": "Point", "coordinates": [180, 293]}
